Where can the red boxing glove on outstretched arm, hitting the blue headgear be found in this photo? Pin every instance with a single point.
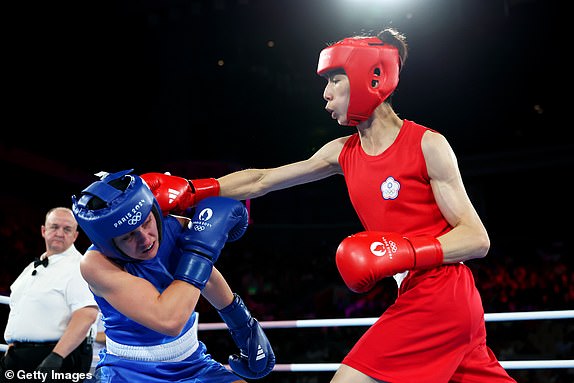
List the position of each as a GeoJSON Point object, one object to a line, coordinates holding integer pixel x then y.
{"type": "Point", "coordinates": [176, 194]}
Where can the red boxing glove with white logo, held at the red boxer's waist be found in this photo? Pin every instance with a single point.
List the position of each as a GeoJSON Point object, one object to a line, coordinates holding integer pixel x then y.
{"type": "Point", "coordinates": [363, 259]}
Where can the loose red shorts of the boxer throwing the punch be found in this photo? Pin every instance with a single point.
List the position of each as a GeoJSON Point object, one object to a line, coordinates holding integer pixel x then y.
{"type": "Point", "coordinates": [433, 333]}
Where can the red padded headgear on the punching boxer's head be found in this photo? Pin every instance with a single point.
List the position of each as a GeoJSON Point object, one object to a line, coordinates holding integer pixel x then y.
{"type": "Point", "coordinates": [372, 68]}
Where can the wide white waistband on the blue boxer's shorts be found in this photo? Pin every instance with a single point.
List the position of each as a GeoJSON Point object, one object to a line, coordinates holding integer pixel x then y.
{"type": "Point", "coordinates": [174, 351]}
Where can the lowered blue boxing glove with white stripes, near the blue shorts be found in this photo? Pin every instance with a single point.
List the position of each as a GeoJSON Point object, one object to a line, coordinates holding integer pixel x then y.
{"type": "Point", "coordinates": [256, 358]}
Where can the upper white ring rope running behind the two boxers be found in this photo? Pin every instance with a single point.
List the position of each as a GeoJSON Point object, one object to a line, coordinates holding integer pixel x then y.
{"type": "Point", "coordinates": [495, 317]}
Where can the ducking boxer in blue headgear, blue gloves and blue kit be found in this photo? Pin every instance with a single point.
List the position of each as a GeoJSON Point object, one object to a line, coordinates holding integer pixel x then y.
{"type": "Point", "coordinates": [147, 271]}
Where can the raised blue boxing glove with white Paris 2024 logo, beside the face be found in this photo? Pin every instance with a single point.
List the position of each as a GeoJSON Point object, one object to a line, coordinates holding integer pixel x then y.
{"type": "Point", "coordinates": [216, 220]}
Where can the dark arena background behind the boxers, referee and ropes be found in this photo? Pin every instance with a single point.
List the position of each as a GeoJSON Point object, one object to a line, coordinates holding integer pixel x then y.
{"type": "Point", "coordinates": [203, 88]}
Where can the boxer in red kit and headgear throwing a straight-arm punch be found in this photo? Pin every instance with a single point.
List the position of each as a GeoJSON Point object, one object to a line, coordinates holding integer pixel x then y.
{"type": "Point", "coordinates": [420, 225]}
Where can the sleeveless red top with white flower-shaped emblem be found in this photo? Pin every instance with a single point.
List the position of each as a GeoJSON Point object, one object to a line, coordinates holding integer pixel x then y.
{"type": "Point", "coordinates": [391, 191]}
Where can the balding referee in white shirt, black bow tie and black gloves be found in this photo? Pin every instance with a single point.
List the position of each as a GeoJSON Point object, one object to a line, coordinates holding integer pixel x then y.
{"type": "Point", "coordinates": [52, 311]}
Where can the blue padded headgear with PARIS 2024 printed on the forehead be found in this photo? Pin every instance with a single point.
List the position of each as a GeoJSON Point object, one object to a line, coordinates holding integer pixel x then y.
{"type": "Point", "coordinates": [122, 211]}
